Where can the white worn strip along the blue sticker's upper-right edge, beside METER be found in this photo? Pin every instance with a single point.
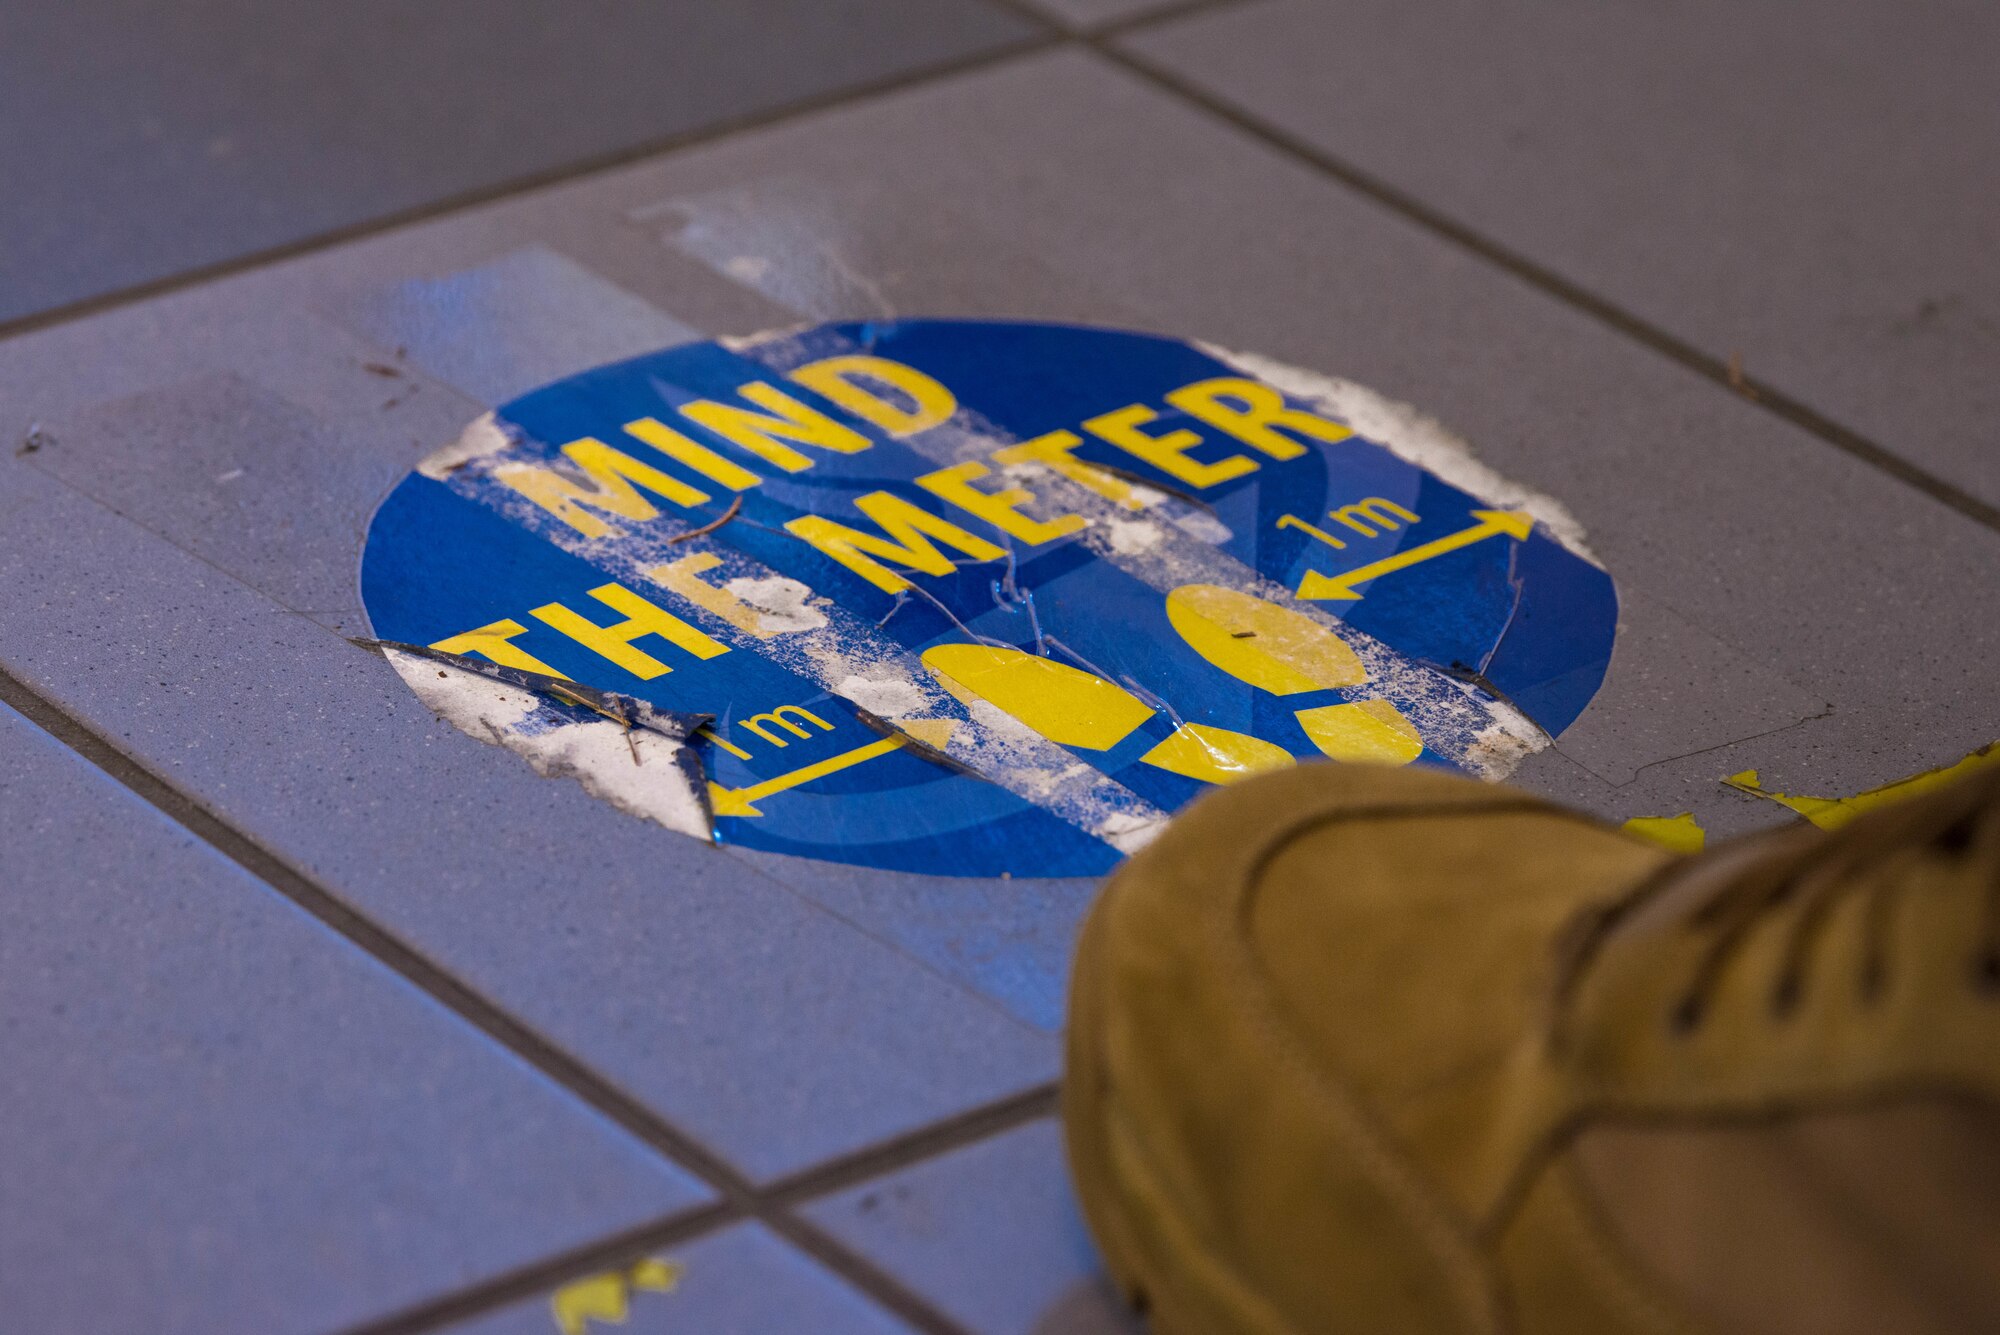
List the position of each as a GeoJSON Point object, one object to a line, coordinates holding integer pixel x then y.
{"type": "Point", "coordinates": [1411, 435]}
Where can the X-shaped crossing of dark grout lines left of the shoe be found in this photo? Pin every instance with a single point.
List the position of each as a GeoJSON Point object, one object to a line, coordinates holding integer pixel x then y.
{"type": "Point", "coordinates": [737, 1194]}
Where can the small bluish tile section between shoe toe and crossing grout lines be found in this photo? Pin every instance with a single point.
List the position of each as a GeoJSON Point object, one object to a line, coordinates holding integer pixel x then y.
{"type": "Point", "coordinates": [991, 1234]}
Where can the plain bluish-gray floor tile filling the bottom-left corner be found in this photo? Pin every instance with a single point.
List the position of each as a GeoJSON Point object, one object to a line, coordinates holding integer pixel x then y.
{"type": "Point", "coordinates": [225, 1118]}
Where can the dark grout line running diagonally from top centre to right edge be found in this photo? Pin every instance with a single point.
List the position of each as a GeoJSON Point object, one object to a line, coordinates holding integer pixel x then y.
{"type": "Point", "coordinates": [1545, 279]}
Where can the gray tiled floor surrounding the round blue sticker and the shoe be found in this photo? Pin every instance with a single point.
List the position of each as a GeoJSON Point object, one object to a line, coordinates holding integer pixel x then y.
{"type": "Point", "coordinates": [787, 1080]}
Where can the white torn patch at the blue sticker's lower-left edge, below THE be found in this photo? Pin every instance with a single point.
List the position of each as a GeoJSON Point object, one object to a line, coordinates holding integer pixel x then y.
{"type": "Point", "coordinates": [635, 772]}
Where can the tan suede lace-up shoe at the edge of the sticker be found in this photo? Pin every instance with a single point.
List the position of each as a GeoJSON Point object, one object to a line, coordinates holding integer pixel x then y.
{"type": "Point", "coordinates": [1395, 1052]}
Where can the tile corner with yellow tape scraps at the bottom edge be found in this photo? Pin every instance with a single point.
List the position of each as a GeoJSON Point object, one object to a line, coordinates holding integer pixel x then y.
{"type": "Point", "coordinates": [739, 1280]}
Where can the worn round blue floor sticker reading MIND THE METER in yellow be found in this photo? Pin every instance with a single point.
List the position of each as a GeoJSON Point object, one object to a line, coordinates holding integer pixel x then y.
{"type": "Point", "coordinates": [975, 599]}
